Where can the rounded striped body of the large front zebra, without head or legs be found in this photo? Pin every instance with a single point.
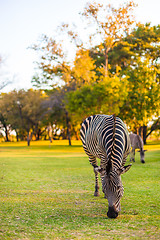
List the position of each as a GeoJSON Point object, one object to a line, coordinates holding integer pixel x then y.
{"type": "Point", "coordinates": [106, 137]}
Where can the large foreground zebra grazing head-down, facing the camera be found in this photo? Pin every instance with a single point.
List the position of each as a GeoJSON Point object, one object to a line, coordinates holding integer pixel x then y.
{"type": "Point", "coordinates": [107, 138]}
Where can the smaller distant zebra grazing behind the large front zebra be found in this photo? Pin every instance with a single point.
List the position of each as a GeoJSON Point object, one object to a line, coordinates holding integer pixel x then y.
{"type": "Point", "coordinates": [136, 142]}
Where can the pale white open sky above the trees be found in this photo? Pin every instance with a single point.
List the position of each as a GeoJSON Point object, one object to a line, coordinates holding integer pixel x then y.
{"type": "Point", "coordinates": [22, 22]}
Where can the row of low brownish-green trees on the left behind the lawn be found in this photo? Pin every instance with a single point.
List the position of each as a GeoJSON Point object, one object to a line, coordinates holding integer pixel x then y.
{"type": "Point", "coordinates": [34, 114]}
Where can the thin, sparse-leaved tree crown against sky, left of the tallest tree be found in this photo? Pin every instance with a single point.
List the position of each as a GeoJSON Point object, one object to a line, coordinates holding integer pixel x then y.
{"type": "Point", "coordinates": [54, 69]}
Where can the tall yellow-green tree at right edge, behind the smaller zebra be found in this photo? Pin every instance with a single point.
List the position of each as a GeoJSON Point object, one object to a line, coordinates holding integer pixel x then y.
{"type": "Point", "coordinates": [143, 102]}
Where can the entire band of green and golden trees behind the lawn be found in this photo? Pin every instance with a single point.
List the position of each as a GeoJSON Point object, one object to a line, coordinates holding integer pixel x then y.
{"type": "Point", "coordinates": [115, 70]}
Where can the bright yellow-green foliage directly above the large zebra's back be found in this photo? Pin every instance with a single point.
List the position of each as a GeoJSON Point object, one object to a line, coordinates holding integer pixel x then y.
{"type": "Point", "coordinates": [105, 96]}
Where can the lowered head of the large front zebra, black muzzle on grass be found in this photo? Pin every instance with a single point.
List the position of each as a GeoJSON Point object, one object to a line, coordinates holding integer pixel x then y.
{"type": "Point", "coordinates": [113, 188]}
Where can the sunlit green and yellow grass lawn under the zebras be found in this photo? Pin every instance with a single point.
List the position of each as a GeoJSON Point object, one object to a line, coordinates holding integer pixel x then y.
{"type": "Point", "coordinates": [46, 192]}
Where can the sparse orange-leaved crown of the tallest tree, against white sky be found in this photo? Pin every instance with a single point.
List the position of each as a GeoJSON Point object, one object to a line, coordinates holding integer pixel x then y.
{"type": "Point", "coordinates": [111, 25]}
